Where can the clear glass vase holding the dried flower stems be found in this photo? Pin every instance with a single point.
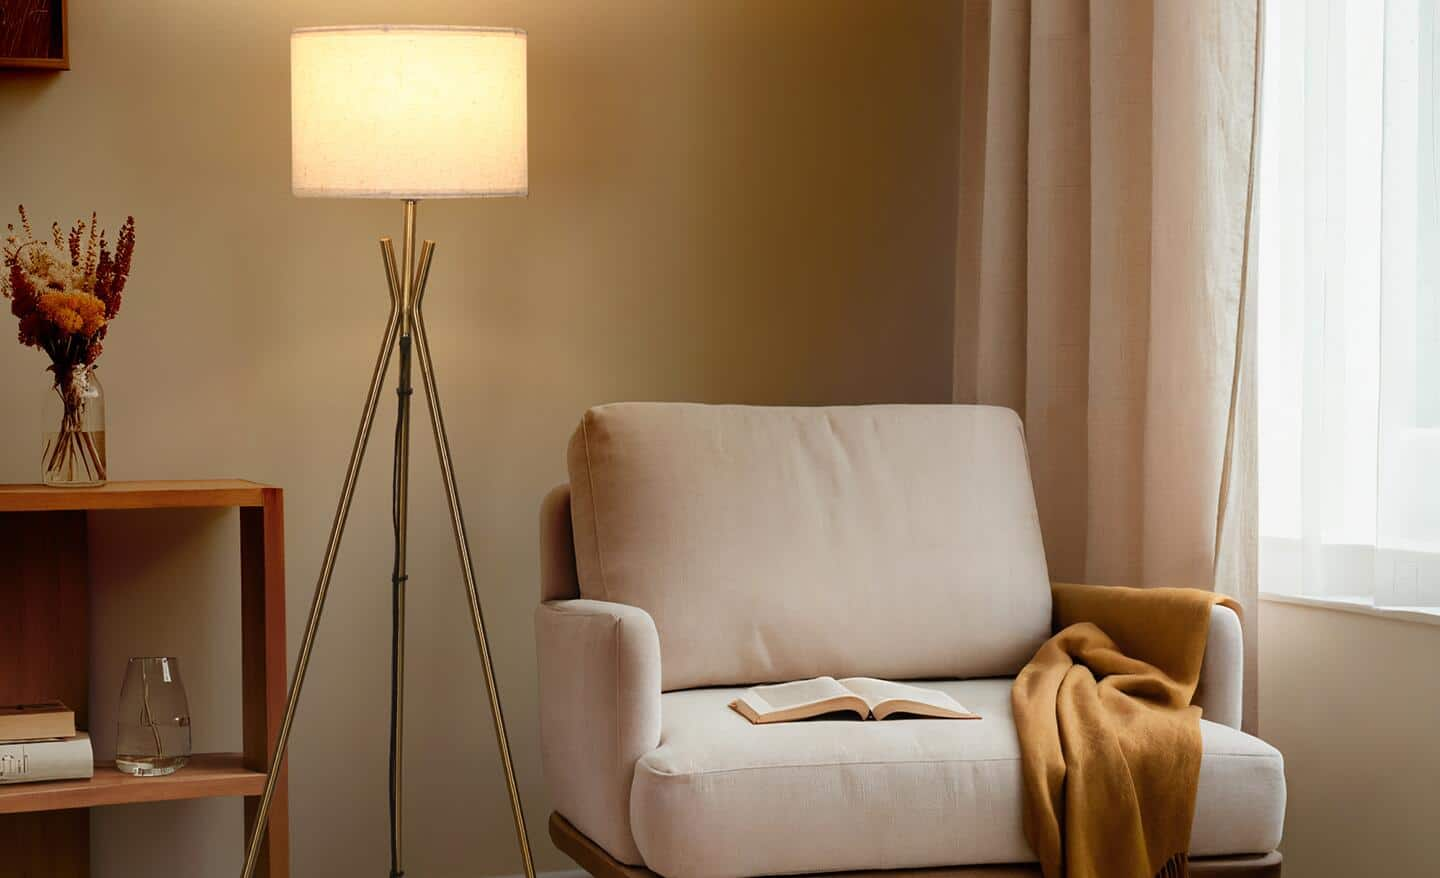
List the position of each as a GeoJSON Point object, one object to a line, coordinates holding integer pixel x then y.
{"type": "Point", "coordinates": [74, 422]}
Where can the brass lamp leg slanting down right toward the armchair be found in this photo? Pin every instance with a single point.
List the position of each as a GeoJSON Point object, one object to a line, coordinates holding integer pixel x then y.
{"type": "Point", "coordinates": [463, 545]}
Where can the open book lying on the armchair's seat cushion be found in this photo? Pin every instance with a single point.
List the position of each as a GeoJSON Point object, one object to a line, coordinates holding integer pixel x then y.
{"type": "Point", "coordinates": [866, 697]}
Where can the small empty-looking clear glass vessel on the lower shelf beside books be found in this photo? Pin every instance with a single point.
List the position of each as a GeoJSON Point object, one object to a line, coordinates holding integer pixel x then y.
{"type": "Point", "coordinates": [155, 719]}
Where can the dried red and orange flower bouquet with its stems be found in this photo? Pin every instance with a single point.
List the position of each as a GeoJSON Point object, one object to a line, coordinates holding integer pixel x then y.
{"type": "Point", "coordinates": [66, 290]}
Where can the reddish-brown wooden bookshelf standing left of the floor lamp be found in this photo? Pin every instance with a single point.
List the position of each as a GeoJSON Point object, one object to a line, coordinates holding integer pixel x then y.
{"type": "Point", "coordinates": [45, 589]}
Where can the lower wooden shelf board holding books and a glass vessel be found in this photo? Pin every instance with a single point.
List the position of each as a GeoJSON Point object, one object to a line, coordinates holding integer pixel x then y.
{"type": "Point", "coordinates": [207, 777]}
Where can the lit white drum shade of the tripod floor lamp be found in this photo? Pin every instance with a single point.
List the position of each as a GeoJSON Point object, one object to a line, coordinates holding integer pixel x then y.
{"type": "Point", "coordinates": [408, 113]}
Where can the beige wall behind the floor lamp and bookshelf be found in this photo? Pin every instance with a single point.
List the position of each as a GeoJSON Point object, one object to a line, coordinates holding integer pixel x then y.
{"type": "Point", "coordinates": [742, 202]}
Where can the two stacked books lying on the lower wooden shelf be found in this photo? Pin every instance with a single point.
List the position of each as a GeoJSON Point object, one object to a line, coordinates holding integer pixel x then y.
{"type": "Point", "coordinates": [40, 742]}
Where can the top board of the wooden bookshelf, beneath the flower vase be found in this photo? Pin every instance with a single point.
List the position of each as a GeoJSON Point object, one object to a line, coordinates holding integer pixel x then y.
{"type": "Point", "coordinates": [133, 496]}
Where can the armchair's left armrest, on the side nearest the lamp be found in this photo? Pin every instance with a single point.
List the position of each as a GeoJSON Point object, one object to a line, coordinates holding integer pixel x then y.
{"type": "Point", "coordinates": [600, 712]}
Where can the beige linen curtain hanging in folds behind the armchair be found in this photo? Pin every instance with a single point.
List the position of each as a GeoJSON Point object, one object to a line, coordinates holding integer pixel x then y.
{"type": "Point", "coordinates": [1102, 279]}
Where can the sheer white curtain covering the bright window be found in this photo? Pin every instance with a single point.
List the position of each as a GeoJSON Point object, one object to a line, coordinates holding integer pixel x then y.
{"type": "Point", "coordinates": [1350, 302]}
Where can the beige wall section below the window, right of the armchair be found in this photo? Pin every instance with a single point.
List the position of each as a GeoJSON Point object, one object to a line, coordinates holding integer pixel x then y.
{"type": "Point", "coordinates": [1354, 705]}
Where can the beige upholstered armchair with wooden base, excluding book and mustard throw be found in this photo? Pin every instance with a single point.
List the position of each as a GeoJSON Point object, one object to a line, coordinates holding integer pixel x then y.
{"type": "Point", "coordinates": [703, 549]}
